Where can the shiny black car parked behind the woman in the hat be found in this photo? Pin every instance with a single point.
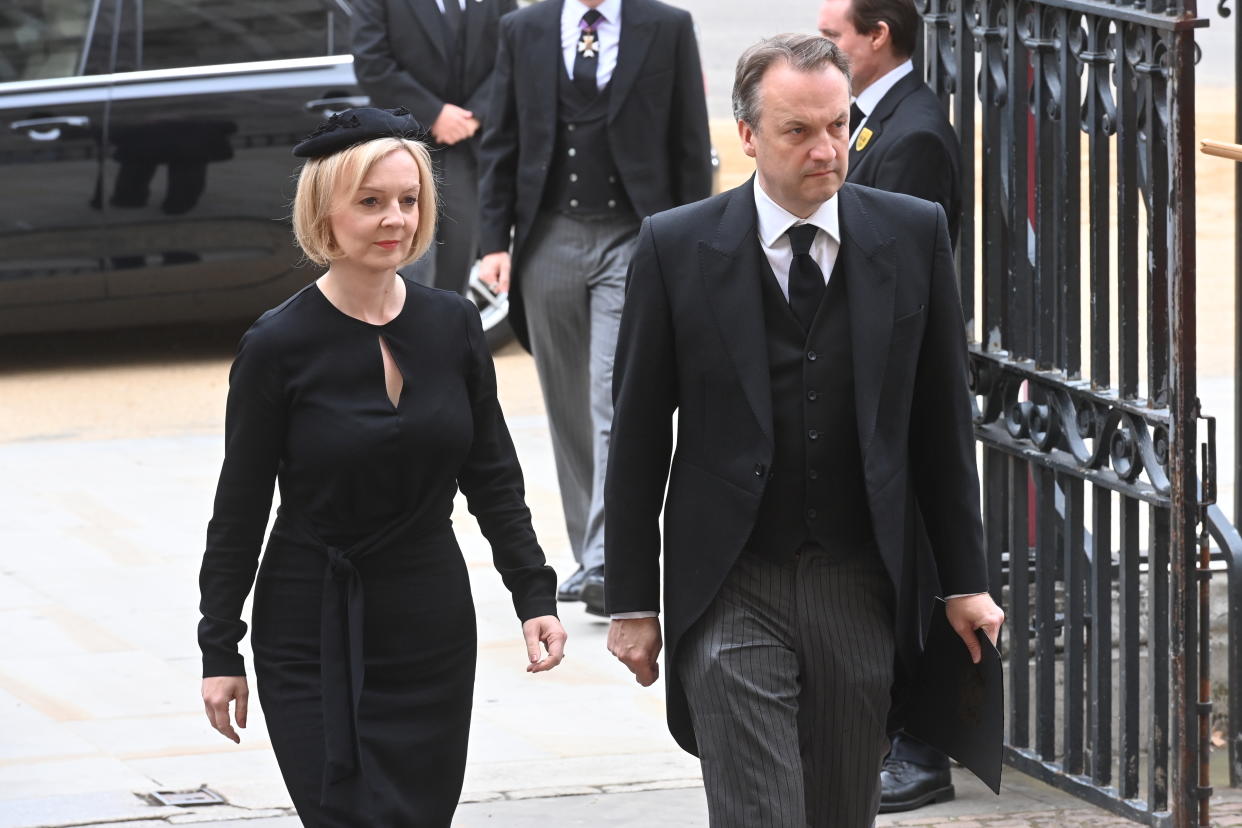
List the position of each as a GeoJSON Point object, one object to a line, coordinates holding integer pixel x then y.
{"type": "Point", "coordinates": [145, 157]}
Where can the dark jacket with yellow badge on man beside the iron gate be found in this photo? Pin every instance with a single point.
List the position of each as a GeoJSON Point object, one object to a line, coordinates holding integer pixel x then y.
{"type": "Point", "coordinates": [913, 150]}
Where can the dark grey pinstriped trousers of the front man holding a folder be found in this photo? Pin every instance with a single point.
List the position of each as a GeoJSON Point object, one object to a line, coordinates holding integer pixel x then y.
{"type": "Point", "coordinates": [789, 677]}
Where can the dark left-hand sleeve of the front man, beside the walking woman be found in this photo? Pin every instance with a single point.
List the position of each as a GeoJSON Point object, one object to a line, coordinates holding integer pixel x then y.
{"type": "Point", "coordinates": [645, 398]}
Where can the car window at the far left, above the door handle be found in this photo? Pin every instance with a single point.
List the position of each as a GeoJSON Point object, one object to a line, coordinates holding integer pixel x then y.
{"type": "Point", "coordinates": [44, 39]}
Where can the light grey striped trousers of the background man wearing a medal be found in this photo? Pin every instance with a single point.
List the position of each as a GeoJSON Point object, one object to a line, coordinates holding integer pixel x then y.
{"type": "Point", "coordinates": [573, 287]}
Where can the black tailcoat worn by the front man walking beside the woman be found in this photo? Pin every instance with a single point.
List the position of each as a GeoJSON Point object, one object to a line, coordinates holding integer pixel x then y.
{"type": "Point", "coordinates": [692, 341]}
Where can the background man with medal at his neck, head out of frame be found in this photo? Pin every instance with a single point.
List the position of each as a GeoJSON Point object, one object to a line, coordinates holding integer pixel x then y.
{"type": "Point", "coordinates": [599, 119]}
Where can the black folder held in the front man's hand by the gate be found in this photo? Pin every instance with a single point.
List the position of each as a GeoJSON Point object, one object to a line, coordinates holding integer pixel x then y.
{"type": "Point", "coordinates": [958, 706]}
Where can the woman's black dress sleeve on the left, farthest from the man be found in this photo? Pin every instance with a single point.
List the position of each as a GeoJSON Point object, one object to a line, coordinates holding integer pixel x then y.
{"type": "Point", "coordinates": [254, 440]}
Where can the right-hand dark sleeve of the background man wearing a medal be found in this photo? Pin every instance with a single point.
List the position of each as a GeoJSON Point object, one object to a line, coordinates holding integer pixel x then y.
{"type": "Point", "coordinates": [690, 142]}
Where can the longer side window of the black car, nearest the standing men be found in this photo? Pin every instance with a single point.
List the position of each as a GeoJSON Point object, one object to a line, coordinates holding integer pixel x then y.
{"type": "Point", "coordinates": [176, 34]}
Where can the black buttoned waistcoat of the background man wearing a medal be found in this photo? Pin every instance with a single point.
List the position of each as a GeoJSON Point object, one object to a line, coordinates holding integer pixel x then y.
{"type": "Point", "coordinates": [584, 181]}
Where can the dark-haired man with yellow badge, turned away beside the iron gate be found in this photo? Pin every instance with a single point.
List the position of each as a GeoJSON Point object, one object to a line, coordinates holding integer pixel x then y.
{"type": "Point", "coordinates": [900, 141]}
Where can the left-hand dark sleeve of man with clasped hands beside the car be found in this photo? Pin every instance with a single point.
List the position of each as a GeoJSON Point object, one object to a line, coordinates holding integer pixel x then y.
{"type": "Point", "coordinates": [378, 70]}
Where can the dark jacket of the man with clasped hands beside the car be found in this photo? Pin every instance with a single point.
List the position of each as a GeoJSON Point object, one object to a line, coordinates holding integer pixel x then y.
{"type": "Point", "coordinates": [401, 61]}
